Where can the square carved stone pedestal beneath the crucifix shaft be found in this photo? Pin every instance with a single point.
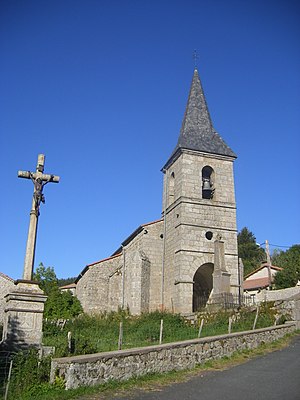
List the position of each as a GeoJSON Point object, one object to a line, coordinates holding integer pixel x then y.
{"type": "Point", "coordinates": [23, 315]}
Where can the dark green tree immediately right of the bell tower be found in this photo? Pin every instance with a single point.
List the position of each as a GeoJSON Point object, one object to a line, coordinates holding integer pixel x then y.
{"type": "Point", "coordinates": [251, 254]}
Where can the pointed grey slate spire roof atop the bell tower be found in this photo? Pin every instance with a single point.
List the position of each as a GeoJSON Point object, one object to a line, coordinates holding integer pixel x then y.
{"type": "Point", "coordinates": [197, 131]}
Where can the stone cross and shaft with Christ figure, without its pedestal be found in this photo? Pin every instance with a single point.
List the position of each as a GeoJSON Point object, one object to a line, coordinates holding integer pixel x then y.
{"type": "Point", "coordinates": [39, 180]}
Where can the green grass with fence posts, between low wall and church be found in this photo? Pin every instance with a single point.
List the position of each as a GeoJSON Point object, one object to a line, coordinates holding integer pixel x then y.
{"type": "Point", "coordinates": [93, 334]}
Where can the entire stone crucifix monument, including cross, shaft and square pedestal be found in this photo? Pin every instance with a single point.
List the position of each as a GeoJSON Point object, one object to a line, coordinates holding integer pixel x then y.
{"type": "Point", "coordinates": [23, 313]}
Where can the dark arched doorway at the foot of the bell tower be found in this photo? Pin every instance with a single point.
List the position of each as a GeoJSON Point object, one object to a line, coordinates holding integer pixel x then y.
{"type": "Point", "coordinates": [203, 284]}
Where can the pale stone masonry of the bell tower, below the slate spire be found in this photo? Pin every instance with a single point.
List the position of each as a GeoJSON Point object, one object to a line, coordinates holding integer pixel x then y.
{"type": "Point", "coordinates": [189, 217]}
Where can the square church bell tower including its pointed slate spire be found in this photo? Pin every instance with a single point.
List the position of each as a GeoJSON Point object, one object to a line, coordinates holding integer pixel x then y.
{"type": "Point", "coordinates": [200, 251]}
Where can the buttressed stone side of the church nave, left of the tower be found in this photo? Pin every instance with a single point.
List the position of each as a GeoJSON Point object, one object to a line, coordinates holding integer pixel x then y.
{"type": "Point", "coordinates": [129, 279]}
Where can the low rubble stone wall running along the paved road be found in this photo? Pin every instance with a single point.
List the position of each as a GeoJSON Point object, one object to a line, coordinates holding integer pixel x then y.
{"type": "Point", "coordinates": [98, 368]}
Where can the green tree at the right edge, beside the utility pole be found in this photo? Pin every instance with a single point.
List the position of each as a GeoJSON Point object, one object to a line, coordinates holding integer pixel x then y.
{"type": "Point", "coordinates": [289, 260]}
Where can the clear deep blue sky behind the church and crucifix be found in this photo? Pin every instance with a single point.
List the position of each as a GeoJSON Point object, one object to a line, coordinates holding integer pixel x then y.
{"type": "Point", "coordinates": [100, 88]}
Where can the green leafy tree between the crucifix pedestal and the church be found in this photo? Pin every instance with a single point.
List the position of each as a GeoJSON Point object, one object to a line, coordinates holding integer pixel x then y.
{"type": "Point", "coordinates": [58, 304]}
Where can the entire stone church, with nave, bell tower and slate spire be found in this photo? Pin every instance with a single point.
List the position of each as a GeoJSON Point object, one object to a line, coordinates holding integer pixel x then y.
{"type": "Point", "coordinates": [189, 256]}
